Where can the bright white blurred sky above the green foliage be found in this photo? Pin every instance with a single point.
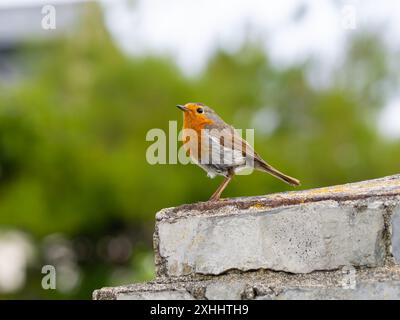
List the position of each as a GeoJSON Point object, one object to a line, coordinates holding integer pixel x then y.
{"type": "Point", "coordinates": [190, 31]}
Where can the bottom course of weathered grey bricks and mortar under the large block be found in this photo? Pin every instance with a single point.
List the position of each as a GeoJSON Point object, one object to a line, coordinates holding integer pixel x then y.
{"type": "Point", "coordinates": [375, 283]}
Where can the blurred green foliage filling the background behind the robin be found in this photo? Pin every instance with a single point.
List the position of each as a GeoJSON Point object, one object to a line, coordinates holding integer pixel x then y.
{"type": "Point", "coordinates": [72, 136]}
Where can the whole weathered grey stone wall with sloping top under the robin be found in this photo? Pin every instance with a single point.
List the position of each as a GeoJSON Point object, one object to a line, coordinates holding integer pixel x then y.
{"type": "Point", "coordinates": [340, 242]}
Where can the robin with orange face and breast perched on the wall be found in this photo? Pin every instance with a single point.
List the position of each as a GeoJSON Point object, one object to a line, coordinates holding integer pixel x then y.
{"type": "Point", "coordinates": [218, 149]}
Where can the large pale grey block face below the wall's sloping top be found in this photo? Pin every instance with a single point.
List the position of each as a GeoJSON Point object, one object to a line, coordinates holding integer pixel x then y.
{"type": "Point", "coordinates": [298, 239]}
